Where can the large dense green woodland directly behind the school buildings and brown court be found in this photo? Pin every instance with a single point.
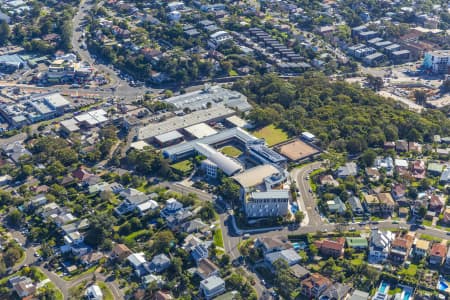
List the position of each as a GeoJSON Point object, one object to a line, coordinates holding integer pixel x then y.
{"type": "Point", "coordinates": [343, 116]}
